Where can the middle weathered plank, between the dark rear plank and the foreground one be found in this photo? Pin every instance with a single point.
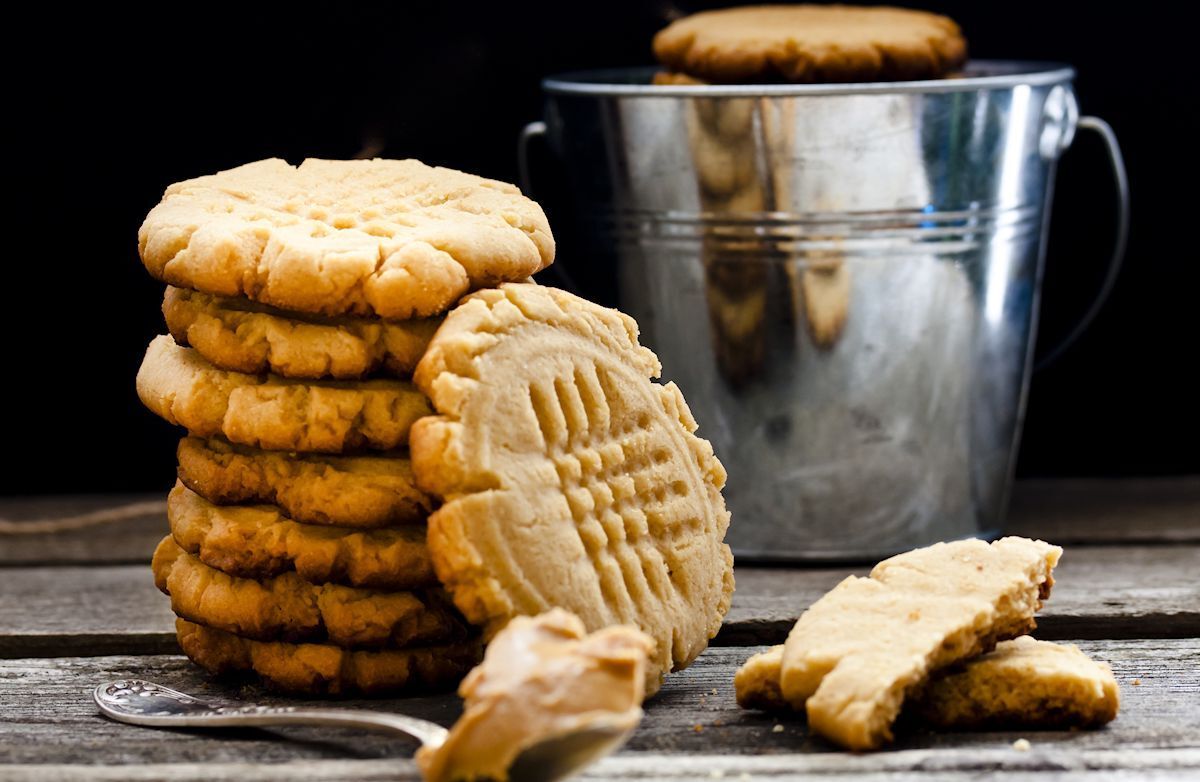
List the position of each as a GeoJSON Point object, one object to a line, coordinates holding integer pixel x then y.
{"type": "Point", "coordinates": [1101, 593]}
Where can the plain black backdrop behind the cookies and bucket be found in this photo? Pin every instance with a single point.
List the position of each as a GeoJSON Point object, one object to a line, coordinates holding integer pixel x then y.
{"type": "Point", "coordinates": [141, 103]}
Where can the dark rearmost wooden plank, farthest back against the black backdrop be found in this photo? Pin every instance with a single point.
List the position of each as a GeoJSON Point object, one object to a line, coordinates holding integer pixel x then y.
{"type": "Point", "coordinates": [1066, 512]}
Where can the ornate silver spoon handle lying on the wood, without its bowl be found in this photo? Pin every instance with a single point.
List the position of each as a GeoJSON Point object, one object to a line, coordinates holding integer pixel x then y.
{"type": "Point", "coordinates": [140, 702]}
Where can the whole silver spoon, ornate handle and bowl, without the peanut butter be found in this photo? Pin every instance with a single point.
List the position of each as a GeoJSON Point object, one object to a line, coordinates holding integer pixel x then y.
{"type": "Point", "coordinates": [145, 703]}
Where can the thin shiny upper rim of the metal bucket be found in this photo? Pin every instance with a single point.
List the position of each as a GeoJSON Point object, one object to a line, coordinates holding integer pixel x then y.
{"type": "Point", "coordinates": [979, 75]}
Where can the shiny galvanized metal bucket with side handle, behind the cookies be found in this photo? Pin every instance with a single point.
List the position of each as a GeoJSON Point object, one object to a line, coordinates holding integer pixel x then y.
{"type": "Point", "coordinates": [842, 279]}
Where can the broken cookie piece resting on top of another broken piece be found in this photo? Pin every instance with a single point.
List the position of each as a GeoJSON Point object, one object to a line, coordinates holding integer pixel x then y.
{"type": "Point", "coordinates": [856, 654]}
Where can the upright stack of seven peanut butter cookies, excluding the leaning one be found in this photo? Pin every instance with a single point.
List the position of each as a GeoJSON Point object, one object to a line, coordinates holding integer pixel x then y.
{"type": "Point", "coordinates": [301, 300]}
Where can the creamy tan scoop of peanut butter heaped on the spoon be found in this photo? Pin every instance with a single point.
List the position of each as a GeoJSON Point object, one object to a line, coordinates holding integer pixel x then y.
{"type": "Point", "coordinates": [543, 677]}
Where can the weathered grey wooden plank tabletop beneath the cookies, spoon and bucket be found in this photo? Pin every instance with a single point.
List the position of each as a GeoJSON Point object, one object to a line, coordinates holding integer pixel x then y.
{"type": "Point", "coordinates": [79, 607]}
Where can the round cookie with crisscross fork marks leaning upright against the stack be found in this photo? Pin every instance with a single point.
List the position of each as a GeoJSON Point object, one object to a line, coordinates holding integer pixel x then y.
{"type": "Point", "coordinates": [569, 479]}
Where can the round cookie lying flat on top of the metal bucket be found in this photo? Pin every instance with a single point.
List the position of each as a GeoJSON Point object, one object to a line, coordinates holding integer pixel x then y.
{"type": "Point", "coordinates": [807, 44]}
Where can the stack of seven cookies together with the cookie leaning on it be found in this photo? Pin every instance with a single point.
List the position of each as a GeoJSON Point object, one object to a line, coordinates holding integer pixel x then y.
{"type": "Point", "coordinates": [339, 528]}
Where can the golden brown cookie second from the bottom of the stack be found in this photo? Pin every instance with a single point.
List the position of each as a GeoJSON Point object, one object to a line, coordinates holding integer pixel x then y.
{"type": "Point", "coordinates": [290, 609]}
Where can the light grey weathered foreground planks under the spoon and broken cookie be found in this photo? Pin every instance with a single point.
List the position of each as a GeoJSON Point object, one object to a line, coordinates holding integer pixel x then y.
{"type": "Point", "coordinates": [49, 719]}
